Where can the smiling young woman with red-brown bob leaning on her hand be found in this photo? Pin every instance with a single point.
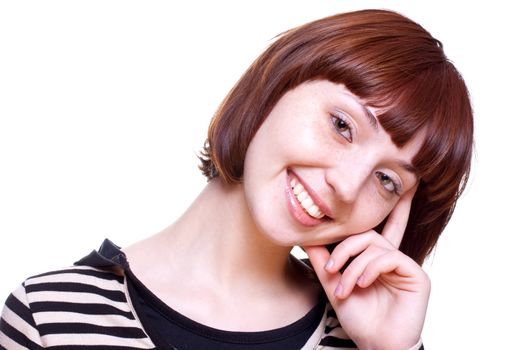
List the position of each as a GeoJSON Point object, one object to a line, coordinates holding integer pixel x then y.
{"type": "Point", "coordinates": [351, 137]}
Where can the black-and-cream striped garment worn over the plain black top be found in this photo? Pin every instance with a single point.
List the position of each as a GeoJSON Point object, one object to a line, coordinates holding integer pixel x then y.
{"type": "Point", "coordinates": [89, 307]}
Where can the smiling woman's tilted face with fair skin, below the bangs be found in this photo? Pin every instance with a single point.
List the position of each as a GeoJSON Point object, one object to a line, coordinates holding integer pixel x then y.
{"type": "Point", "coordinates": [321, 167]}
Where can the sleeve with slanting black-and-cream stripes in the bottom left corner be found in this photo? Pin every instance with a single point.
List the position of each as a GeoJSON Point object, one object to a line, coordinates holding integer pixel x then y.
{"type": "Point", "coordinates": [17, 326]}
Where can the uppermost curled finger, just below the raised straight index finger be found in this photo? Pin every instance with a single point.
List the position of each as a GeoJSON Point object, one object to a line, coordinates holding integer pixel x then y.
{"type": "Point", "coordinates": [352, 246]}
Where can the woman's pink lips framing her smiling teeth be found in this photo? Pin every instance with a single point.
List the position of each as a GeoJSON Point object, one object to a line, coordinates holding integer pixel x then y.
{"type": "Point", "coordinates": [295, 207]}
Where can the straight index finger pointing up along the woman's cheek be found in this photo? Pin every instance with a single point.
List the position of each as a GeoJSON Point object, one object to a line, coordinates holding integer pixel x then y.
{"type": "Point", "coordinates": [398, 219]}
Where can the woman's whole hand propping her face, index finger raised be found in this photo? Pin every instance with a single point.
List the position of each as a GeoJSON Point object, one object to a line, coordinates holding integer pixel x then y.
{"type": "Point", "coordinates": [381, 298]}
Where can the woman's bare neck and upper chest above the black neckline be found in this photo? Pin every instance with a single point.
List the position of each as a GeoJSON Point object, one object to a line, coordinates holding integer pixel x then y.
{"type": "Point", "coordinates": [216, 254]}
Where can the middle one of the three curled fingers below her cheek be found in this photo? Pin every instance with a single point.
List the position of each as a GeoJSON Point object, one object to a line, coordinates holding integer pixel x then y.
{"type": "Point", "coordinates": [356, 268]}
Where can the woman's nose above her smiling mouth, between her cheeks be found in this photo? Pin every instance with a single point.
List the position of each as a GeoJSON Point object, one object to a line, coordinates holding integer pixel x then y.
{"type": "Point", "coordinates": [348, 178]}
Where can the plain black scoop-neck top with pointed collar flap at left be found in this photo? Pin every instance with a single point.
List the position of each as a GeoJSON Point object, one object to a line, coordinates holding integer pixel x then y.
{"type": "Point", "coordinates": [153, 312]}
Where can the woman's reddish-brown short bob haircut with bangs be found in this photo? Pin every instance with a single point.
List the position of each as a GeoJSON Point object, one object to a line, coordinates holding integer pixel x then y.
{"type": "Point", "coordinates": [388, 61]}
